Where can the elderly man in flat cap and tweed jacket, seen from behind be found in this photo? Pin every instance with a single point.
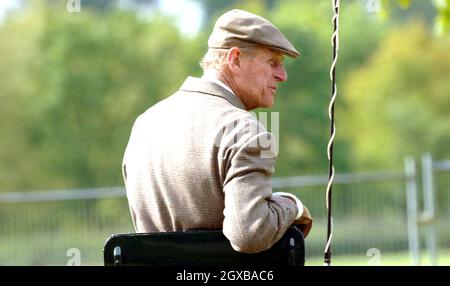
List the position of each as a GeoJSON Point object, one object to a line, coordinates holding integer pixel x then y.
{"type": "Point", "coordinates": [200, 160]}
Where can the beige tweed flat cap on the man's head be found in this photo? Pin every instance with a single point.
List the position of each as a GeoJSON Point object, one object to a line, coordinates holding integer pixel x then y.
{"type": "Point", "coordinates": [239, 28]}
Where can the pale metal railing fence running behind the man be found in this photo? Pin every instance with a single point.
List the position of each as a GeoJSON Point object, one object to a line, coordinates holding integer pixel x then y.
{"type": "Point", "coordinates": [378, 210]}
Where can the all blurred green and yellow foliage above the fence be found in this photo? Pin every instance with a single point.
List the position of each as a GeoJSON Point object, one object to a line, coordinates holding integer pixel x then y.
{"type": "Point", "coordinates": [71, 85]}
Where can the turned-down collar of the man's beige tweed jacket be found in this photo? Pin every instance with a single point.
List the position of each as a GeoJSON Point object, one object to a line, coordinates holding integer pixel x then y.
{"type": "Point", "coordinates": [194, 84]}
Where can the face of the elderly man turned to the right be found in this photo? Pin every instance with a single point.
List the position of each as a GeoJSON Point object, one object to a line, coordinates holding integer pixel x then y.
{"type": "Point", "coordinates": [259, 77]}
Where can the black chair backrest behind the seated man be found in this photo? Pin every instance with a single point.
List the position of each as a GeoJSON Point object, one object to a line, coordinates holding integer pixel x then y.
{"type": "Point", "coordinates": [199, 248]}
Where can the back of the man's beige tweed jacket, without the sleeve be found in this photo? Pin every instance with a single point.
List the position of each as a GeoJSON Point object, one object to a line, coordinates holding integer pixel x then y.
{"type": "Point", "coordinates": [178, 185]}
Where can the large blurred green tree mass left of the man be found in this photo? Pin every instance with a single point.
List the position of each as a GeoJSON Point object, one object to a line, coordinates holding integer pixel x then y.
{"type": "Point", "coordinates": [73, 83]}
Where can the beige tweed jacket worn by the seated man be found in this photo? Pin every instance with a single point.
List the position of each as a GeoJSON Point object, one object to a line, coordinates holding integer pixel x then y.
{"type": "Point", "coordinates": [199, 160]}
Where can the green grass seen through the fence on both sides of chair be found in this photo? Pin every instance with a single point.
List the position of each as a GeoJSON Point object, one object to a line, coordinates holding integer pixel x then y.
{"type": "Point", "coordinates": [43, 234]}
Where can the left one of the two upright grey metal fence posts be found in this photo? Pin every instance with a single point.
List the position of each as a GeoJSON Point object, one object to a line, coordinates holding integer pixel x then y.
{"type": "Point", "coordinates": [411, 210]}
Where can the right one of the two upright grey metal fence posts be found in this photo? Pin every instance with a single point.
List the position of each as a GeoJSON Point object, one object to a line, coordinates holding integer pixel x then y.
{"type": "Point", "coordinates": [428, 215]}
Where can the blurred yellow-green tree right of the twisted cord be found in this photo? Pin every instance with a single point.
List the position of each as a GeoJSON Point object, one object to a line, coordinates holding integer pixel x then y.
{"type": "Point", "coordinates": [398, 104]}
